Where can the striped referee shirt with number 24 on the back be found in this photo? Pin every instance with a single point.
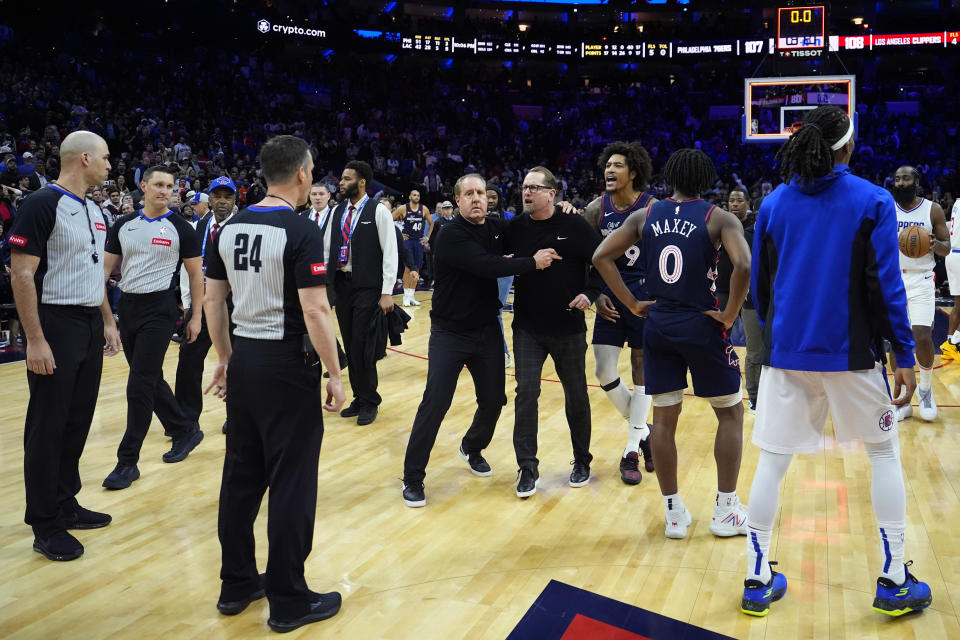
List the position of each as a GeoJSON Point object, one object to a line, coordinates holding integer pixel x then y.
{"type": "Point", "coordinates": [267, 253]}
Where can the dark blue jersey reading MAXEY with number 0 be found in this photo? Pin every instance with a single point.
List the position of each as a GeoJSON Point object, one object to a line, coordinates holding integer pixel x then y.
{"type": "Point", "coordinates": [681, 261]}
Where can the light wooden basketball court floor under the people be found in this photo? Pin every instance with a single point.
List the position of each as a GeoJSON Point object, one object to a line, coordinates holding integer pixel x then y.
{"type": "Point", "coordinates": [474, 560]}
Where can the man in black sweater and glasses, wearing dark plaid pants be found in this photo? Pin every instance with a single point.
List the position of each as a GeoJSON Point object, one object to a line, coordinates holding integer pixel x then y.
{"type": "Point", "coordinates": [548, 320]}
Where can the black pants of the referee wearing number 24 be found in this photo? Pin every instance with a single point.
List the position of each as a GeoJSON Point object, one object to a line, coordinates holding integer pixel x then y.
{"type": "Point", "coordinates": [275, 409]}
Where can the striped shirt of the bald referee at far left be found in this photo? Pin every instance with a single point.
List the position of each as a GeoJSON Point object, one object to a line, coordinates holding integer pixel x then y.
{"type": "Point", "coordinates": [68, 235]}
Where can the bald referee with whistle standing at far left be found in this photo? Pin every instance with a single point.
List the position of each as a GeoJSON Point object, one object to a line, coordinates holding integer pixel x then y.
{"type": "Point", "coordinates": [57, 243]}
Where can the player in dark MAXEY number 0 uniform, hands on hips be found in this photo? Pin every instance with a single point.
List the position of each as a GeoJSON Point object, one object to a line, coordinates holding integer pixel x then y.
{"type": "Point", "coordinates": [685, 329]}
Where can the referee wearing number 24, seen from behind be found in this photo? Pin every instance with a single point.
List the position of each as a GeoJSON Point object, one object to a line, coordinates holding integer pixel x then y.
{"type": "Point", "coordinates": [273, 261]}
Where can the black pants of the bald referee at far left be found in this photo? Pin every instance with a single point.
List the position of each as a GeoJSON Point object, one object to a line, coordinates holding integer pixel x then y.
{"type": "Point", "coordinates": [59, 413]}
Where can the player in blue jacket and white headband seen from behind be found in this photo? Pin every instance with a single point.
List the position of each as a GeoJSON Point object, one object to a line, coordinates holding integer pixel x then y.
{"type": "Point", "coordinates": [826, 289]}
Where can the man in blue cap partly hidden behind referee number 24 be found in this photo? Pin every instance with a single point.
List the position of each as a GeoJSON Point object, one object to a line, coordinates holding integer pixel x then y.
{"type": "Point", "coordinates": [189, 384]}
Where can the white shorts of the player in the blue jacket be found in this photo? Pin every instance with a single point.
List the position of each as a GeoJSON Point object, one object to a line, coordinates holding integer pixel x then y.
{"type": "Point", "coordinates": [792, 408]}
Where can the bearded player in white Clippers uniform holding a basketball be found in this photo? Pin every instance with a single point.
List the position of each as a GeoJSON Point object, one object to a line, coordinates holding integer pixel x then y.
{"type": "Point", "coordinates": [912, 210]}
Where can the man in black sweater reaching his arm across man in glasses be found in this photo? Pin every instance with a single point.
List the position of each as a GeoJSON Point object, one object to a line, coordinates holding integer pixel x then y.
{"type": "Point", "coordinates": [465, 332]}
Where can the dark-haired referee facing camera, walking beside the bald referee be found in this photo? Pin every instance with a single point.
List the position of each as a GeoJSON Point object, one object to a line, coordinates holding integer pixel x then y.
{"type": "Point", "coordinates": [152, 242]}
